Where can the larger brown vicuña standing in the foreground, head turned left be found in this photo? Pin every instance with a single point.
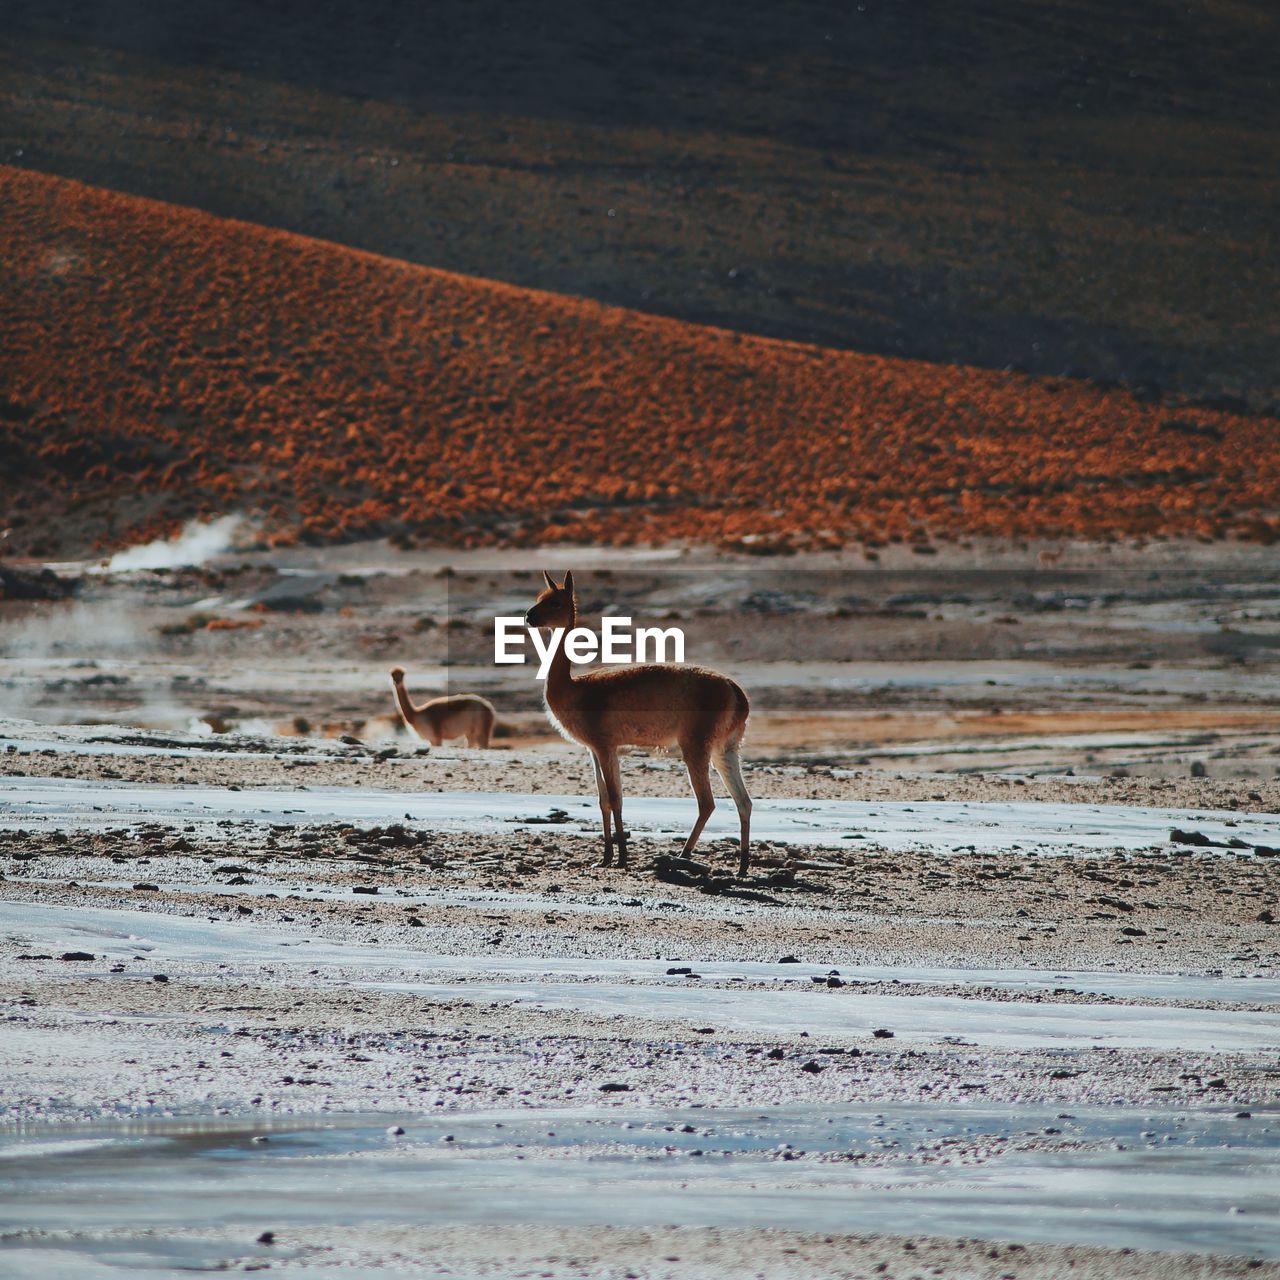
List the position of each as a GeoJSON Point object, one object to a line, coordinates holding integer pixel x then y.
{"type": "Point", "coordinates": [656, 705]}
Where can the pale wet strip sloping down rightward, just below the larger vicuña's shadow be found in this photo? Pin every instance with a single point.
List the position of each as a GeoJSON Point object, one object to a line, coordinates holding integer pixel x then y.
{"type": "Point", "coordinates": [586, 988]}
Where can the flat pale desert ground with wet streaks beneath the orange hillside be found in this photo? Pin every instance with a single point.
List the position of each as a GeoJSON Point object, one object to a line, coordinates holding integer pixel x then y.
{"type": "Point", "coordinates": [999, 996]}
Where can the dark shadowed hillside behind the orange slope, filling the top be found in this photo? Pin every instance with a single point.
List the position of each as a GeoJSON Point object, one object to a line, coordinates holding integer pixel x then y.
{"type": "Point", "coordinates": [1062, 188]}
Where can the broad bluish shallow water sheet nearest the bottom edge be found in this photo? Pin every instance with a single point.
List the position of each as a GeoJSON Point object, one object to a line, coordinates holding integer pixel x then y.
{"type": "Point", "coordinates": [1190, 1181]}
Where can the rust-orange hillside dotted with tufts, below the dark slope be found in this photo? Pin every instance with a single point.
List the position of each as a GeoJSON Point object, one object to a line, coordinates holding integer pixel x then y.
{"type": "Point", "coordinates": [162, 364]}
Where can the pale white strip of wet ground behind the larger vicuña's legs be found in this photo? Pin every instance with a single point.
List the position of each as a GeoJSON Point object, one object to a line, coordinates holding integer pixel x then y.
{"type": "Point", "coordinates": [938, 826]}
